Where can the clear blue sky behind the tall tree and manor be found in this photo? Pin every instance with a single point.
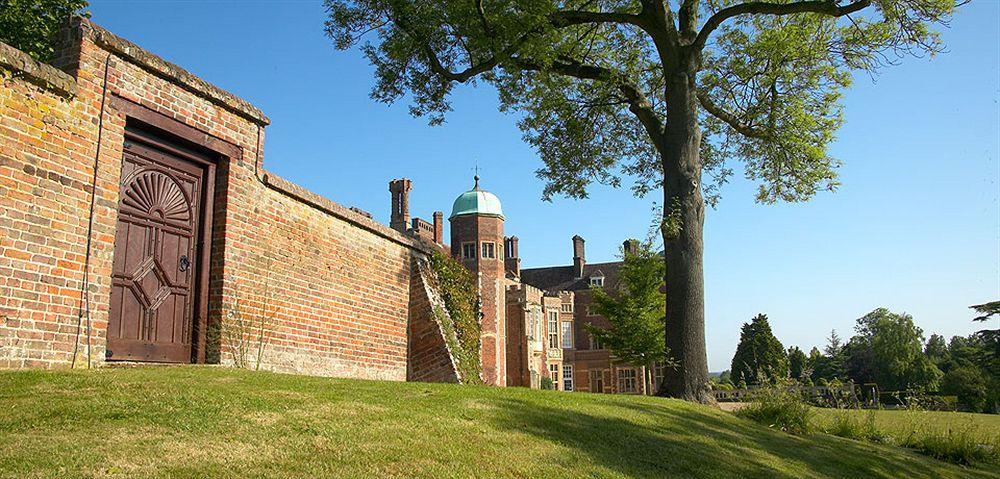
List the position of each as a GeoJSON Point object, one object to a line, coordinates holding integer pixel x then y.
{"type": "Point", "coordinates": [915, 226]}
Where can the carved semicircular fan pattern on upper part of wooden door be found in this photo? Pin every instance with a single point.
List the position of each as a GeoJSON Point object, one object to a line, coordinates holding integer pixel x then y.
{"type": "Point", "coordinates": [158, 195]}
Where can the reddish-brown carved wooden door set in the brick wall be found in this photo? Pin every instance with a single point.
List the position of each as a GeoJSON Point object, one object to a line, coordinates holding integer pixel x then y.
{"type": "Point", "coordinates": [155, 278]}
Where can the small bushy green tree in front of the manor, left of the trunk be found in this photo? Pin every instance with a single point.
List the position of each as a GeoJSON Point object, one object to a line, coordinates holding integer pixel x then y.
{"type": "Point", "coordinates": [634, 311]}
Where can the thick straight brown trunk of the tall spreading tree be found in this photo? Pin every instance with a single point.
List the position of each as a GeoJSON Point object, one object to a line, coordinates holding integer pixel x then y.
{"type": "Point", "coordinates": [684, 215]}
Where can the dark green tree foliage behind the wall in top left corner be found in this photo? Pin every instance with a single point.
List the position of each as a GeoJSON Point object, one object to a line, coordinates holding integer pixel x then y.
{"type": "Point", "coordinates": [31, 25]}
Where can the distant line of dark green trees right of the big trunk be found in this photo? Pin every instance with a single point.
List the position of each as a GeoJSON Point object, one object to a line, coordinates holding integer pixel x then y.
{"type": "Point", "coordinates": [887, 350]}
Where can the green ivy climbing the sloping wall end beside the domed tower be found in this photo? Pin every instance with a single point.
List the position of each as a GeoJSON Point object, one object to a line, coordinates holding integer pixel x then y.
{"type": "Point", "coordinates": [461, 326]}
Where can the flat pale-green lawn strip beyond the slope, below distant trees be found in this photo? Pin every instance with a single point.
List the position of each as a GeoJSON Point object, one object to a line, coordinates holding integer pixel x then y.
{"type": "Point", "coordinates": [900, 423]}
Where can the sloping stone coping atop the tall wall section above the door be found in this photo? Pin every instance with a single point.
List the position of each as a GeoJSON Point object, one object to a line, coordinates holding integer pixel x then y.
{"type": "Point", "coordinates": [162, 68]}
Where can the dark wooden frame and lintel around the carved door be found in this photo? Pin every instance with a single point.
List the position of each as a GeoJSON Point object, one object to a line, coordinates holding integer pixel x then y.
{"type": "Point", "coordinates": [166, 129]}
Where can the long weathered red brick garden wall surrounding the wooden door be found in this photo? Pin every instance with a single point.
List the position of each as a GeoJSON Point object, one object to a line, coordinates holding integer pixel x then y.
{"type": "Point", "coordinates": [337, 284]}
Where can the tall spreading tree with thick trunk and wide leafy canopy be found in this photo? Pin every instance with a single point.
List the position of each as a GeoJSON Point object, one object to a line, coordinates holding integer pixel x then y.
{"type": "Point", "coordinates": [659, 91]}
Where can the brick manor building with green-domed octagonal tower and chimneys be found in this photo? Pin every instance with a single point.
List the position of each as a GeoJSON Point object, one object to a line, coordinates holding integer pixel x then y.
{"type": "Point", "coordinates": [533, 319]}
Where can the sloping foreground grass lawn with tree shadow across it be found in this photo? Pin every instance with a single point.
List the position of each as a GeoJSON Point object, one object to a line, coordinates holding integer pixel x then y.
{"type": "Point", "coordinates": [215, 422]}
